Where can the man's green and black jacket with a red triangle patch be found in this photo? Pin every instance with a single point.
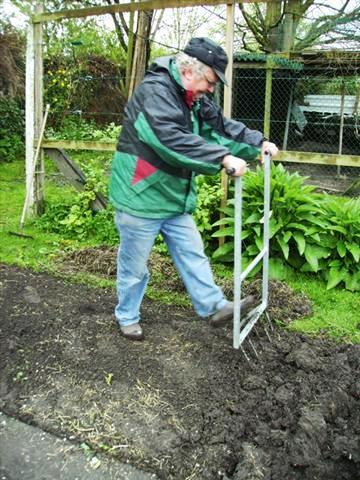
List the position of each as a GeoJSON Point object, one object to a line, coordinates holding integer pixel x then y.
{"type": "Point", "coordinates": [166, 139]}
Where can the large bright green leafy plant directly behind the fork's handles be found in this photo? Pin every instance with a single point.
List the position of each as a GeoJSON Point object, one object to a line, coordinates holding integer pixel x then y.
{"type": "Point", "coordinates": [292, 203]}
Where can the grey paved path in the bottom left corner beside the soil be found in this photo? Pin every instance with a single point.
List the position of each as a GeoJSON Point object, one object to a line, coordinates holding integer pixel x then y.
{"type": "Point", "coordinates": [28, 453]}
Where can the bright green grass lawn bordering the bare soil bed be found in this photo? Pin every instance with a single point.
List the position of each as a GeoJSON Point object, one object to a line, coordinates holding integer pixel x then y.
{"type": "Point", "coordinates": [336, 311]}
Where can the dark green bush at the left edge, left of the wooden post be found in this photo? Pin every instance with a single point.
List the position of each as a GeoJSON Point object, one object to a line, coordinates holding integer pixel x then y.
{"type": "Point", "coordinates": [12, 129]}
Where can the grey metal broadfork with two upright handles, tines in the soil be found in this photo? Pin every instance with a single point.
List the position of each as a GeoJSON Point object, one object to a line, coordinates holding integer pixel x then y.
{"type": "Point", "coordinates": [243, 326]}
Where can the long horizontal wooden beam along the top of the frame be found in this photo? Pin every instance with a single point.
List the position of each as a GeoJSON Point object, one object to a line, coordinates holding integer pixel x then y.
{"type": "Point", "coordinates": [130, 7]}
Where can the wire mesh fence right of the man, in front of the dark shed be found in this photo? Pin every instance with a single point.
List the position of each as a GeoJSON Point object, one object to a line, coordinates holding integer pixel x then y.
{"type": "Point", "coordinates": [316, 110]}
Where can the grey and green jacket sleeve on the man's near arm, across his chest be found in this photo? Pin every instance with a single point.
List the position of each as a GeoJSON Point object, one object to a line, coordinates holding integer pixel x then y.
{"type": "Point", "coordinates": [163, 126]}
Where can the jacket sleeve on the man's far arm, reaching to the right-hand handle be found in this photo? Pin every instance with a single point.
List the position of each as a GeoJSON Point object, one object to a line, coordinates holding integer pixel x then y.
{"type": "Point", "coordinates": [234, 135]}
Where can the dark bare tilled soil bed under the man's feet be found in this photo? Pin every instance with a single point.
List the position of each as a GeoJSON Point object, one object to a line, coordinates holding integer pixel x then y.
{"type": "Point", "coordinates": [183, 404]}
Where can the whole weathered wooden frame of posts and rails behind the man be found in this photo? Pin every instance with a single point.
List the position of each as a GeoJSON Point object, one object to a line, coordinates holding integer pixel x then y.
{"type": "Point", "coordinates": [34, 91]}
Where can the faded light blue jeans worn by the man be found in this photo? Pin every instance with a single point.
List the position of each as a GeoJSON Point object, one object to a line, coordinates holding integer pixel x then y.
{"type": "Point", "coordinates": [137, 236]}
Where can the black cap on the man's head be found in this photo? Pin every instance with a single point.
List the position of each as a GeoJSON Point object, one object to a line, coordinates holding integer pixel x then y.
{"type": "Point", "coordinates": [210, 53]}
